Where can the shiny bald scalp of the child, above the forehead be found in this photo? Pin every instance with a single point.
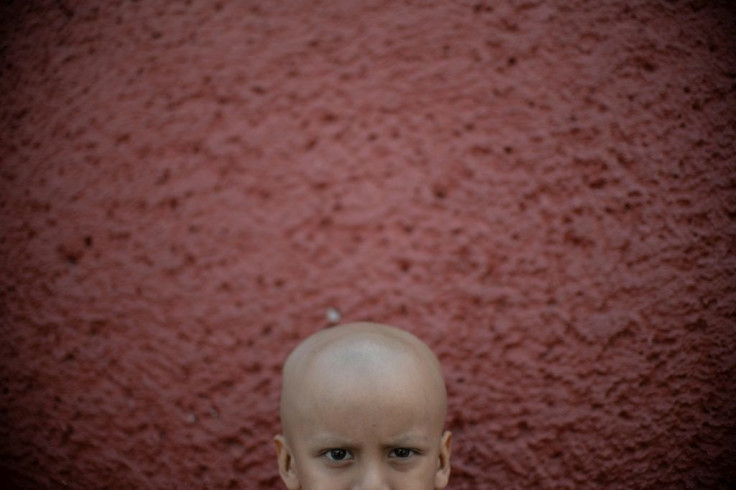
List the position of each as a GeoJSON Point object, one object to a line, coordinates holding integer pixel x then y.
{"type": "Point", "coordinates": [368, 357]}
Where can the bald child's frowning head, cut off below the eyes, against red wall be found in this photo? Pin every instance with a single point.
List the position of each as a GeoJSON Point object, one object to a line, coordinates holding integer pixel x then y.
{"type": "Point", "coordinates": [363, 407]}
